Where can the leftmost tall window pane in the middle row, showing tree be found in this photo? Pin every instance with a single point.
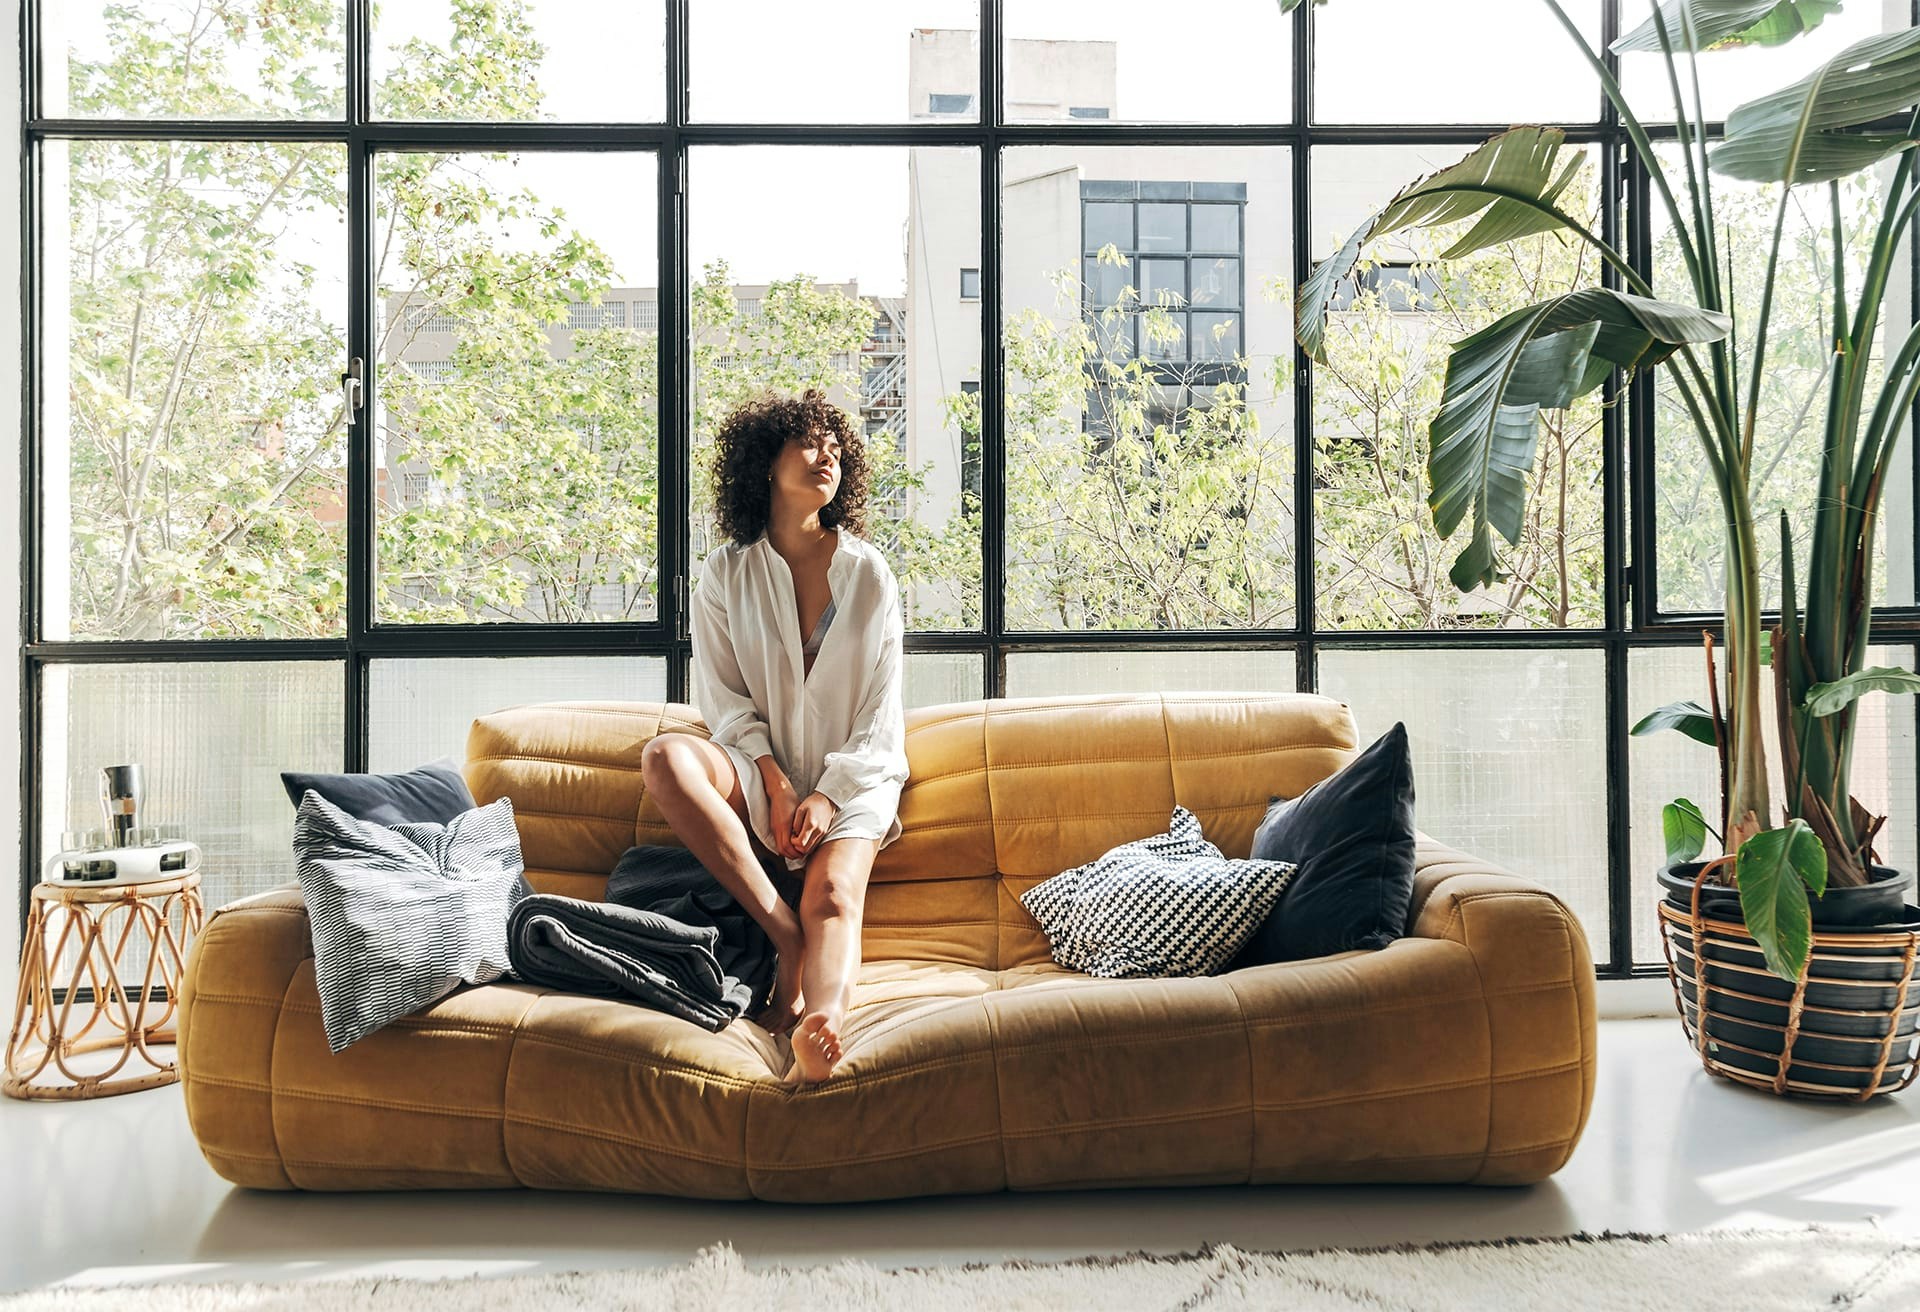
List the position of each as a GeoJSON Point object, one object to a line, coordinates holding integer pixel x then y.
{"type": "Point", "coordinates": [195, 329]}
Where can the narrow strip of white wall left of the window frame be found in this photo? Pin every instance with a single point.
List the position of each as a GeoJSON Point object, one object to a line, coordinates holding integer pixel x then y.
{"type": "Point", "coordinates": [11, 817]}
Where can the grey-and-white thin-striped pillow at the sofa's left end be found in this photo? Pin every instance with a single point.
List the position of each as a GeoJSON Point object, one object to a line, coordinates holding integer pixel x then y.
{"type": "Point", "coordinates": [404, 913]}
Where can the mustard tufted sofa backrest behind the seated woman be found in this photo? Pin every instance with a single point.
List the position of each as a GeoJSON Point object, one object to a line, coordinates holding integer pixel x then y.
{"type": "Point", "coordinates": [1001, 794]}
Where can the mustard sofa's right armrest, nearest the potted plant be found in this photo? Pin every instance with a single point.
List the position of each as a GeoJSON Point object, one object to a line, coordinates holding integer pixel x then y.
{"type": "Point", "coordinates": [1537, 977]}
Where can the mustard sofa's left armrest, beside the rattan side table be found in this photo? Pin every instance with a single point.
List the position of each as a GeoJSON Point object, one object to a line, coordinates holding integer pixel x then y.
{"type": "Point", "coordinates": [239, 971]}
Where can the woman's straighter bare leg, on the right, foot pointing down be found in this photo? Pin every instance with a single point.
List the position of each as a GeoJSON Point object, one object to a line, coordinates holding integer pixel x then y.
{"type": "Point", "coordinates": [832, 908]}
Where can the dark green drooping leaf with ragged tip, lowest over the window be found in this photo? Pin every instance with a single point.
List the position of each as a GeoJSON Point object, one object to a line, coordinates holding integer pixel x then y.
{"type": "Point", "coordinates": [1481, 445]}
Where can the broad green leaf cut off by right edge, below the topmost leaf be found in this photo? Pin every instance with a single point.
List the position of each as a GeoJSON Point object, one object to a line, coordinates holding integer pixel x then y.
{"type": "Point", "coordinates": [1813, 130]}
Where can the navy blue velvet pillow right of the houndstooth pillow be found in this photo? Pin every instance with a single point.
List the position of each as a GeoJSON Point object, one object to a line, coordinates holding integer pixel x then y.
{"type": "Point", "coordinates": [1353, 838]}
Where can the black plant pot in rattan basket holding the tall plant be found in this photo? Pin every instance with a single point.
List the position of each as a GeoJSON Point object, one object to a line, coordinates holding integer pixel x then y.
{"type": "Point", "coordinates": [1858, 988]}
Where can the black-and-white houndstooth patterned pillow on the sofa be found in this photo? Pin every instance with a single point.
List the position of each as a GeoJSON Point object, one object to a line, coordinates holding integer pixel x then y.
{"type": "Point", "coordinates": [1163, 906]}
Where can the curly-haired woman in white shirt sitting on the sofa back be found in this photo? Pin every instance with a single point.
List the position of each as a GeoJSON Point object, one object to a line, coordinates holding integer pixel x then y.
{"type": "Point", "coordinates": [798, 673]}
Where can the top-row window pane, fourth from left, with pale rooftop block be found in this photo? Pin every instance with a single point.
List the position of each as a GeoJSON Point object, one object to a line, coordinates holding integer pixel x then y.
{"type": "Point", "coordinates": [1138, 62]}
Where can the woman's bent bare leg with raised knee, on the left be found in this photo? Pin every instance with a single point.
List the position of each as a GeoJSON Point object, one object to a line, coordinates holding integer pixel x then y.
{"type": "Point", "coordinates": [700, 794]}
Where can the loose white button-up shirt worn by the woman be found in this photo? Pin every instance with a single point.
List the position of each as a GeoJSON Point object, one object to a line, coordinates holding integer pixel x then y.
{"type": "Point", "coordinates": [838, 729]}
